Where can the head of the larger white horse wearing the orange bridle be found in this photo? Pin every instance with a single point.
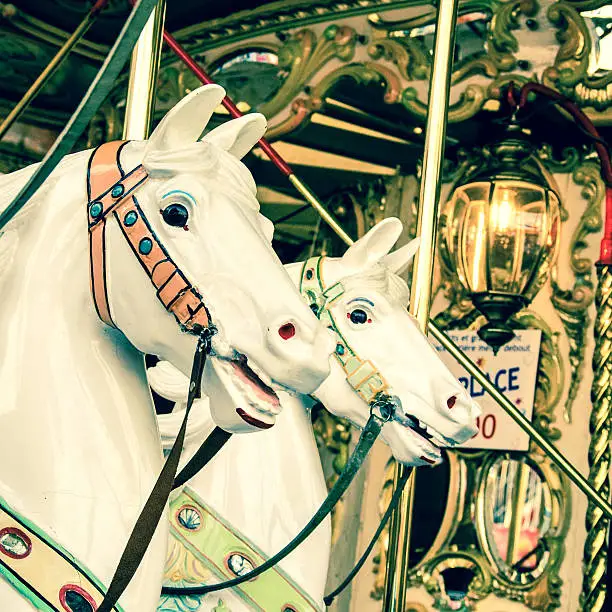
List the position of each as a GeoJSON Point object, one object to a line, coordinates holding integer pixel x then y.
{"type": "Point", "coordinates": [196, 224]}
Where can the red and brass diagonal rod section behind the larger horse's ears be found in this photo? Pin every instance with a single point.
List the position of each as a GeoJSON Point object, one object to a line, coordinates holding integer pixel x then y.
{"type": "Point", "coordinates": [266, 147]}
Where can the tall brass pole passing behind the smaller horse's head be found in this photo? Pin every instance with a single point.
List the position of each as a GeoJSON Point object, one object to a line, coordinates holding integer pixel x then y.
{"type": "Point", "coordinates": [422, 276]}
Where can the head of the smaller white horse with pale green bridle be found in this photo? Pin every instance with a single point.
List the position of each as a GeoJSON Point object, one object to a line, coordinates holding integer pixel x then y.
{"type": "Point", "coordinates": [381, 351]}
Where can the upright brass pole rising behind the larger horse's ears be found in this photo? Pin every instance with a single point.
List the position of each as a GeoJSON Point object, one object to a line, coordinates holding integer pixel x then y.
{"type": "Point", "coordinates": [143, 77]}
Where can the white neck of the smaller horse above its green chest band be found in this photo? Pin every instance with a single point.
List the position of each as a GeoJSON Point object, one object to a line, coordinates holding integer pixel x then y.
{"type": "Point", "coordinates": [268, 485]}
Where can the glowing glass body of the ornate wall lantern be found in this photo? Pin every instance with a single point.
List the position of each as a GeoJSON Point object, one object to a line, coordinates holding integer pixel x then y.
{"type": "Point", "coordinates": [502, 235]}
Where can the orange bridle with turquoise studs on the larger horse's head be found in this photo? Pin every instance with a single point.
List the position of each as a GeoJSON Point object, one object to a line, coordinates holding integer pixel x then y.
{"type": "Point", "coordinates": [110, 190]}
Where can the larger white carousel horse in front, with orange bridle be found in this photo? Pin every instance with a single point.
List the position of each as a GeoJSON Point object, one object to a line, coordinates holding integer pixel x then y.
{"type": "Point", "coordinates": [80, 445]}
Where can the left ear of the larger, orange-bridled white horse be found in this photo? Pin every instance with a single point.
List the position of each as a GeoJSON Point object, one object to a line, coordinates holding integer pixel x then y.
{"type": "Point", "coordinates": [185, 122]}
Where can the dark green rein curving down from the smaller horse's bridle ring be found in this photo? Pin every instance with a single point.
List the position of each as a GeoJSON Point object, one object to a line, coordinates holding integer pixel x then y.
{"type": "Point", "coordinates": [382, 411]}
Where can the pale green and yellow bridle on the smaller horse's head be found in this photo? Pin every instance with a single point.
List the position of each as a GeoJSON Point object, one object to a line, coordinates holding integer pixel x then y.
{"type": "Point", "coordinates": [361, 374]}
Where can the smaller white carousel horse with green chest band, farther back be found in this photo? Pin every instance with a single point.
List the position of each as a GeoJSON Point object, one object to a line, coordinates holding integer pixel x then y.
{"type": "Point", "coordinates": [259, 491]}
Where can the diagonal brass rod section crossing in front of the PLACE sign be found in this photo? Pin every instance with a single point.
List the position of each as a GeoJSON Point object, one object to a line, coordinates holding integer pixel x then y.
{"type": "Point", "coordinates": [517, 416]}
